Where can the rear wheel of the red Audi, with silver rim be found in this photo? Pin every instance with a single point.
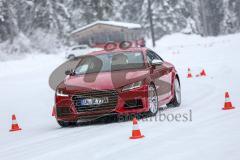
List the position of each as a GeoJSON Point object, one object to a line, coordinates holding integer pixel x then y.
{"type": "Point", "coordinates": [176, 101]}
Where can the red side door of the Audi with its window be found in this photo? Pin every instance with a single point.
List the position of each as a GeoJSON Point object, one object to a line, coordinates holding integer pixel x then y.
{"type": "Point", "coordinates": [161, 75]}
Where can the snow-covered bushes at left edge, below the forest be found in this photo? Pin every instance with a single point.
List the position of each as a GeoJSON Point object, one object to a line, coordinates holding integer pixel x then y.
{"type": "Point", "coordinates": [39, 42]}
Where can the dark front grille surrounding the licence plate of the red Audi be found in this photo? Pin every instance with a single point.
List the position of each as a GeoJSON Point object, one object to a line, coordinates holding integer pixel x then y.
{"type": "Point", "coordinates": [112, 100]}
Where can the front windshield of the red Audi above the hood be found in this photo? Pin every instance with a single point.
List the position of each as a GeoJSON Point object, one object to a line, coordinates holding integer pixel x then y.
{"type": "Point", "coordinates": [110, 62]}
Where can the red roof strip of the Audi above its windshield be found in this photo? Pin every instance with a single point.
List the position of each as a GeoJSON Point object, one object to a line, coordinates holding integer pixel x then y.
{"type": "Point", "coordinates": [133, 49]}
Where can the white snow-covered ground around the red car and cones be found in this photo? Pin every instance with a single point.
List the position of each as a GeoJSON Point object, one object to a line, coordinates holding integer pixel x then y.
{"type": "Point", "coordinates": [212, 133]}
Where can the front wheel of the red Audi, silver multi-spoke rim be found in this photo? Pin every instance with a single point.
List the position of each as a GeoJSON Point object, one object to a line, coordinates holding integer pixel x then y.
{"type": "Point", "coordinates": [152, 100]}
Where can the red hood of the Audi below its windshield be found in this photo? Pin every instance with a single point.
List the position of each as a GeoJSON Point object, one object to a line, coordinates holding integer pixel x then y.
{"type": "Point", "coordinates": [104, 80]}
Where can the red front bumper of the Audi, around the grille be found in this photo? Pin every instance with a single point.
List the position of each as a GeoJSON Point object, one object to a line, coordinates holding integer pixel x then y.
{"type": "Point", "coordinates": [128, 102]}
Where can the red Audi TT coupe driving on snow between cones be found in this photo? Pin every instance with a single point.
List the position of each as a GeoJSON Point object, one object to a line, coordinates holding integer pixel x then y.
{"type": "Point", "coordinates": [130, 81]}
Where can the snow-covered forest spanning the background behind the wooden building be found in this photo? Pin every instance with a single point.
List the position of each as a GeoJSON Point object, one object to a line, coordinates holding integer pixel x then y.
{"type": "Point", "coordinates": [60, 17]}
